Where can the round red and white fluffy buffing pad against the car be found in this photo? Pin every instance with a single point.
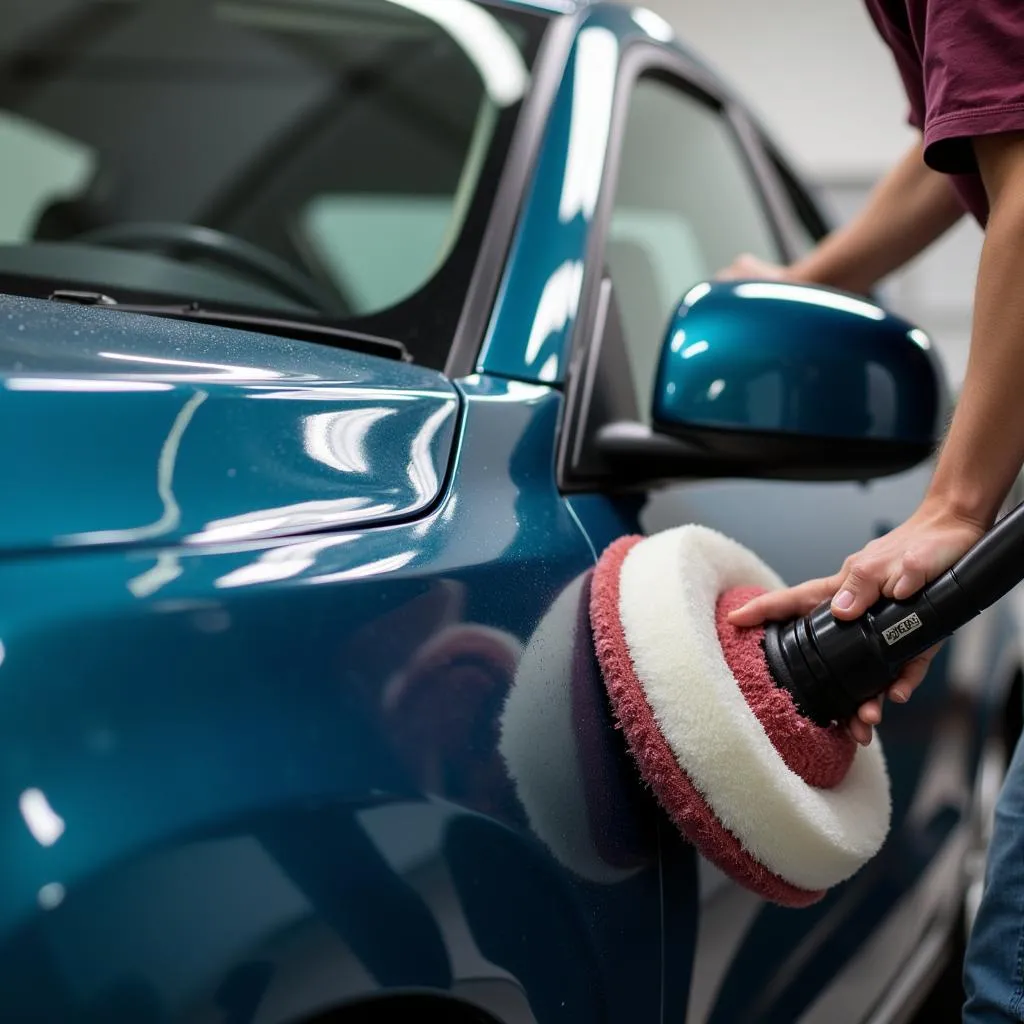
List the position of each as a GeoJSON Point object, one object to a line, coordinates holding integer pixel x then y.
{"type": "Point", "coordinates": [785, 807]}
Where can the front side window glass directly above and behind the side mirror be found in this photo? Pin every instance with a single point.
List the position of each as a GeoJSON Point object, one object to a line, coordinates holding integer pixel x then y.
{"type": "Point", "coordinates": [686, 206]}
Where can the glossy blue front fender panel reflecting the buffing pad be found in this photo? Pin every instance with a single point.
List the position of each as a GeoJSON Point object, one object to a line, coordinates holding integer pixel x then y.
{"type": "Point", "coordinates": [245, 772]}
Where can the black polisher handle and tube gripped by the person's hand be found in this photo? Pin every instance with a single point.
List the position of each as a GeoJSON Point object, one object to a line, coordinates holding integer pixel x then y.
{"type": "Point", "coordinates": [832, 667]}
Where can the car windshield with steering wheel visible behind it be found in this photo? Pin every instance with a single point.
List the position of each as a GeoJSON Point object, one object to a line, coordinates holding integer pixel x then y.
{"type": "Point", "coordinates": [334, 160]}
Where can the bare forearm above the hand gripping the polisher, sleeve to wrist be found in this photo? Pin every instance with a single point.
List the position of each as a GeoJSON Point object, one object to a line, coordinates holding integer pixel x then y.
{"type": "Point", "coordinates": [985, 448]}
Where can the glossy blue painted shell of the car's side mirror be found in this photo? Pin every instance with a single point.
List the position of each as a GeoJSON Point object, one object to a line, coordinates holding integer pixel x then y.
{"type": "Point", "coordinates": [784, 359]}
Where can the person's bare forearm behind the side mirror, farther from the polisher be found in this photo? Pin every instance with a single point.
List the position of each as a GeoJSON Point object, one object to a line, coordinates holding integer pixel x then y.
{"type": "Point", "coordinates": [910, 208]}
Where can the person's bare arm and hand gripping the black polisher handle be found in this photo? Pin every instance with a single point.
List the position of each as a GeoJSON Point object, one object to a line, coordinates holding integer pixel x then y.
{"type": "Point", "coordinates": [984, 450]}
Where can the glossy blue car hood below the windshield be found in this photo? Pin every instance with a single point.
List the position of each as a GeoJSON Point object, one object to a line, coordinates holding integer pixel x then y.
{"type": "Point", "coordinates": [118, 429]}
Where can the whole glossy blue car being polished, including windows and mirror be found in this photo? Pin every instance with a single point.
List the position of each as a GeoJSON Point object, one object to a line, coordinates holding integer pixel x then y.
{"type": "Point", "coordinates": [338, 339]}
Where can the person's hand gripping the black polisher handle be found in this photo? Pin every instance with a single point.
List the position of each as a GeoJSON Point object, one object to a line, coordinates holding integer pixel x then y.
{"type": "Point", "coordinates": [897, 566]}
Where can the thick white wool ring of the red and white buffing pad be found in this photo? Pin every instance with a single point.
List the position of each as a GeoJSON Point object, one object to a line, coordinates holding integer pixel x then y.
{"type": "Point", "coordinates": [812, 838]}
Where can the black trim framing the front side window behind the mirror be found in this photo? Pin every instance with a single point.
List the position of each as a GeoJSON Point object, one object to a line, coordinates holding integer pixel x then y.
{"type": "Point", "coordinates": [639, 60]}
